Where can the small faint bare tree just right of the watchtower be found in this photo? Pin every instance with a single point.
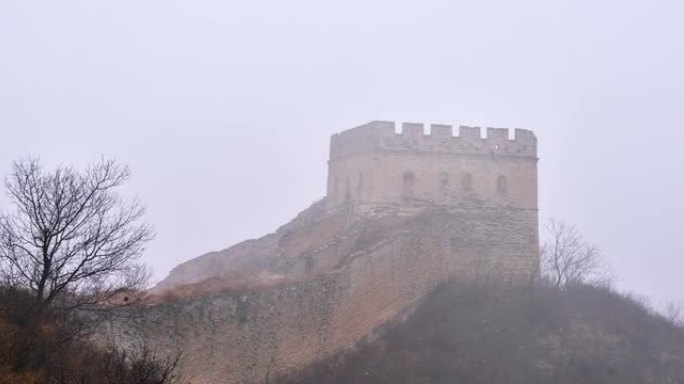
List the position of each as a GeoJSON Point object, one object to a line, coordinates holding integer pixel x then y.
{"type": "Point", "coordinates": [567, 259]}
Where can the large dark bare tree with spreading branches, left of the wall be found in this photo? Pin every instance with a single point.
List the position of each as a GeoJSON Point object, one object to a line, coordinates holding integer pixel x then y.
{"type": "Point", "coordinates": [70, 235]}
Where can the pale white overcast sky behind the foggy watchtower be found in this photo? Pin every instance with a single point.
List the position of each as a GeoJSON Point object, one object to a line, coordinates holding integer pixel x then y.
{"type": "Point", "coordinates": [223, 109]}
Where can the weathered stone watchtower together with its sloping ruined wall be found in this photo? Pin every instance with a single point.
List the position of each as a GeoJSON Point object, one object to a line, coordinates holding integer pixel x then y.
{"type": "Point", "coordinates": [378, 243]}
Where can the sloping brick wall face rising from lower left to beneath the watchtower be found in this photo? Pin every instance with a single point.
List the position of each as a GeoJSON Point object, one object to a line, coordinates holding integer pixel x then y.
{"type": "Point", "coordinates": [252, 336]}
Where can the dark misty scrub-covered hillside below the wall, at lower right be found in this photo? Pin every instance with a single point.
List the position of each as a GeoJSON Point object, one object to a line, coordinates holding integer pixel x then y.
{"type": "Point", "coordinates": [485, 334]}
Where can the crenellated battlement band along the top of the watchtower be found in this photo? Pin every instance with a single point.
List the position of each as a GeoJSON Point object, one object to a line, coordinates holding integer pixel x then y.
{"type": "Point", "coordinates": [383, 136]}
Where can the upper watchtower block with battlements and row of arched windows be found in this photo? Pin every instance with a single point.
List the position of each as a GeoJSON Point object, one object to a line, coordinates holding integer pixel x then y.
{"type": "Point", "coordinates": [371, 164]}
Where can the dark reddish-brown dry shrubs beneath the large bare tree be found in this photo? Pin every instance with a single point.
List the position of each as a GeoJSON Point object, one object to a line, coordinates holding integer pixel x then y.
{"type": "Point", "coordinates": [49, 345]}
